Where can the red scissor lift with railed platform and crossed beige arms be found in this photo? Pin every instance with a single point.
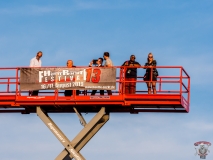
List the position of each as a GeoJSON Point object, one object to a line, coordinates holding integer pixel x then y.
{"type": "Point", "coordinates": [167, 99]}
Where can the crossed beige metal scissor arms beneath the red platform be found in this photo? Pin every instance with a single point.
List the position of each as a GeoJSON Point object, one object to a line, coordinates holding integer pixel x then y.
{"type": "Point", "coordinates": [72, 148]}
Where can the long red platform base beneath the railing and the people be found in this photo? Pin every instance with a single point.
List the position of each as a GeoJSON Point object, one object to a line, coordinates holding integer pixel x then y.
{"type": "Point", "coordinates": [11, 103]}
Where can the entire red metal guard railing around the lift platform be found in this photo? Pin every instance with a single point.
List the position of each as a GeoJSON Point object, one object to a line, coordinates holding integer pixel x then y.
{"type": "Point", "coordinates": [175, 75]}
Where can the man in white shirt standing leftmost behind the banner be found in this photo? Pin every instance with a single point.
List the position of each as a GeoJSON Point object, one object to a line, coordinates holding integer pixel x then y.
{"type": "Point", "coordinates": [36, 62]}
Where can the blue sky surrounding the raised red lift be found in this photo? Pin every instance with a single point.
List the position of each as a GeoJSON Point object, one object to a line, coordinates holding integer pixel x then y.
{"type": "Point", "coordinates": [178, 33]}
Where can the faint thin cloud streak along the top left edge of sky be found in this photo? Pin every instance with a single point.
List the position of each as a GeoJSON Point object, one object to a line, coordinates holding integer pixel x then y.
{"type": "Point", "coordinates": [76, 5]}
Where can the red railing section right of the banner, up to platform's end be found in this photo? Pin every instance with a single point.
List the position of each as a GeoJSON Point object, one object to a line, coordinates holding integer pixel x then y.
{"type": "Point", "coordinates": [181, 79]}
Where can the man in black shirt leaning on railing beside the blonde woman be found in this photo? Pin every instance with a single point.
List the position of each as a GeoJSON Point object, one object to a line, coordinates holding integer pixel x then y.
{"type": "Point", "coordinates": [131, 74]}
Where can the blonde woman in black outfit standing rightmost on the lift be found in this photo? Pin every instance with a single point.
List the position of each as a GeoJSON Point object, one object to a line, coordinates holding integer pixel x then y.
{"type": "Point", "coordinates": [151, 76]}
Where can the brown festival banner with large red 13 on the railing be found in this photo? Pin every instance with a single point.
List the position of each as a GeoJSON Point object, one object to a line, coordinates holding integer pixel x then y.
{"type": "Point", "coordinates": [91, 78]}
